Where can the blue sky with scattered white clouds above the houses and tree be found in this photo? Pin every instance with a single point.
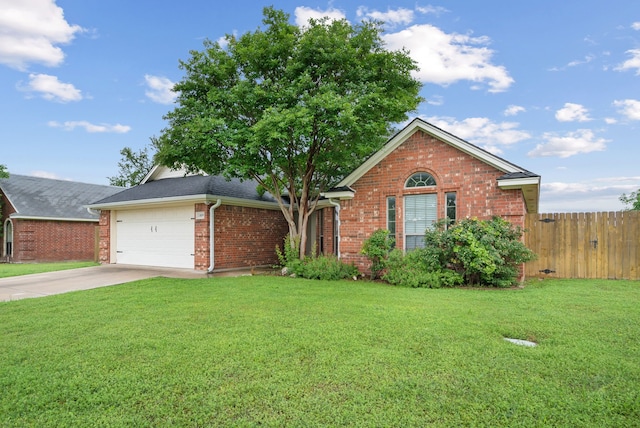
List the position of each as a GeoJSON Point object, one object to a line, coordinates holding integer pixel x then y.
{"type": "Point", "coordinates": [552, 86]}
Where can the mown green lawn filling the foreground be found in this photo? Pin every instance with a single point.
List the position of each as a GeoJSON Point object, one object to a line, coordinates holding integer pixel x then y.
{"type": "Point", "coordinates": [274, 351]}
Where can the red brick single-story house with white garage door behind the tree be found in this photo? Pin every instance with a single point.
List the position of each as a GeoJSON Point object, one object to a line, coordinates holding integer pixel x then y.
{"type": "Point", "coordinates": [207, 223]}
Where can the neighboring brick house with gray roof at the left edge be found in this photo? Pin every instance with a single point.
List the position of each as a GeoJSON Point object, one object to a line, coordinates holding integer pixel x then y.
{"type": "Point", "coordinates": [46, 220]}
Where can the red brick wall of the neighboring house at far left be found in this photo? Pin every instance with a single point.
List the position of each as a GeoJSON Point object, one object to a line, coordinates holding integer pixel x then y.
{"type": "Point", "coordinates": [52, 241]}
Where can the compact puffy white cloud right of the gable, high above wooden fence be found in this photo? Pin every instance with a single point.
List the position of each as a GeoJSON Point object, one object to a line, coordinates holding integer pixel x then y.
{"type": "Point", "coordinates": [570, 144]}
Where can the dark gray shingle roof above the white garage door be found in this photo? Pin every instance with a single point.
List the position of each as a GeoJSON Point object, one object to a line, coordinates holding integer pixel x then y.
{"type": "Point", "coordinates": [190, 186]}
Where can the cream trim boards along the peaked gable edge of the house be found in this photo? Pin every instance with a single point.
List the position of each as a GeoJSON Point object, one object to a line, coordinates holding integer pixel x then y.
{"type": "Point", "coordinates": [420, 125]}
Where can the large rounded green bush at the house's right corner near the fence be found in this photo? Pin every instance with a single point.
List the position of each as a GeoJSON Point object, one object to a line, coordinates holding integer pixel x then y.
{"type": "Point", "coordinates": [483, 252]}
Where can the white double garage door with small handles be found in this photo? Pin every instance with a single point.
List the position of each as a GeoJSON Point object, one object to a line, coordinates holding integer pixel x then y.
{"type": "Point", "coordinates": [156, 237]}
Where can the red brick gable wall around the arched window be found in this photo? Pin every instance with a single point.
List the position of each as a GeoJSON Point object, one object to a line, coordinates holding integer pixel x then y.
{"type": "Point", "coordinates": [474, 182]}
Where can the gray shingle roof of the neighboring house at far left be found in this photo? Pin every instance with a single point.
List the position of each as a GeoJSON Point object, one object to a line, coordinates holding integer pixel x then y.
{"type": "Point", "coordinates": [36, 197]}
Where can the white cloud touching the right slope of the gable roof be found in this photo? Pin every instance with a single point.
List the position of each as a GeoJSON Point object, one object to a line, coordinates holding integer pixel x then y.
{"type": "Point", "coordinates": [482, 131]}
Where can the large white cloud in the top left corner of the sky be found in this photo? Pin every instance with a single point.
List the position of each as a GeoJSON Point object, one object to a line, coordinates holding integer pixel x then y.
{"type": "Point", "coordinates": [31, 31]}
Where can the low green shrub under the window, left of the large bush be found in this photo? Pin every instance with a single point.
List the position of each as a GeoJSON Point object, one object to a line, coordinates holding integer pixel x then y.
{"type": "Point", "coordinates": [413, 270]}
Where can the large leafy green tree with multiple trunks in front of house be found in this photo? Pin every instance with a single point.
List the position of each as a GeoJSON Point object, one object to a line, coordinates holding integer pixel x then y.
{"type": "Point", "coordinates": [294, 108]}
